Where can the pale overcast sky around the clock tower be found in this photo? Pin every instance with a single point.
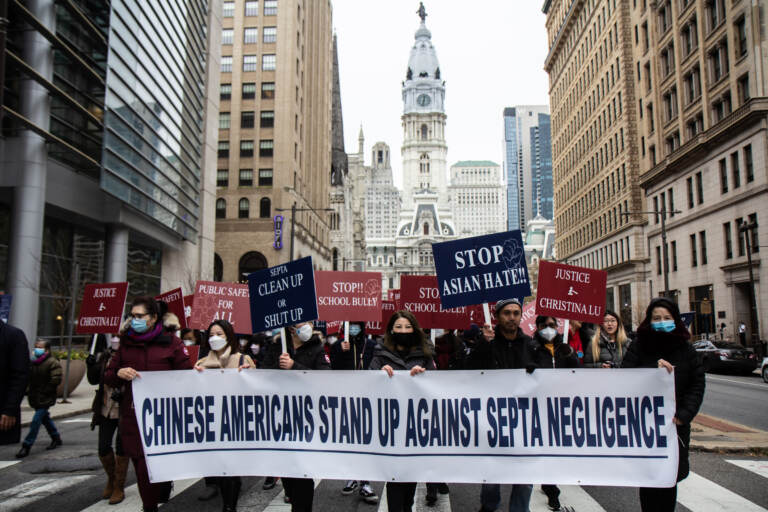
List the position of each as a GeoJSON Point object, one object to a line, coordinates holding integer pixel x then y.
{"type": "Point", "coordinates": [491, 55]}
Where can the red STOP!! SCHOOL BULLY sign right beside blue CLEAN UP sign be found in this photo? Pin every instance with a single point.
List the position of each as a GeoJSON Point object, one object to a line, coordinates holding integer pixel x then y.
{"type": "Point", "coordinates": [349, 296]}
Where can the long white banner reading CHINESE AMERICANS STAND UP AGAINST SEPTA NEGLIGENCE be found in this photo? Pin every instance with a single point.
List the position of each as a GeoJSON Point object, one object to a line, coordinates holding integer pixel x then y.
{"type": "Point", "coordinates": [593, 427]}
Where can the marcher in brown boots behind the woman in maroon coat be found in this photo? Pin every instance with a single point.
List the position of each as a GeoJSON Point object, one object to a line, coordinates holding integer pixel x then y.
{"type": "Point", "coordinates": [106, 416]}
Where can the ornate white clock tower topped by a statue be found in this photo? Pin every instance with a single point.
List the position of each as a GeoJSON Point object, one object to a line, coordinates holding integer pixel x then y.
{"type": "Point", "coordinates": [424, 150]}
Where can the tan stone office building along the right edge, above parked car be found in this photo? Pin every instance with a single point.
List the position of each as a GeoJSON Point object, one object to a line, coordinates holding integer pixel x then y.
{"type": "Point", "coordinates": [703, 105]}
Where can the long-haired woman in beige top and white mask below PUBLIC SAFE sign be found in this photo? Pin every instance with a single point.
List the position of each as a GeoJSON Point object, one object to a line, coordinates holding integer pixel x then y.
{"type": "Point", "coordinates": [224, 353]}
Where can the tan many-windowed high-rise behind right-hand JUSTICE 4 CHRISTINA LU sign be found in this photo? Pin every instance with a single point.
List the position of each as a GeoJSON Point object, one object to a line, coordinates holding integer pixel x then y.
{"type": "Point", "coordinates": [595, 157]}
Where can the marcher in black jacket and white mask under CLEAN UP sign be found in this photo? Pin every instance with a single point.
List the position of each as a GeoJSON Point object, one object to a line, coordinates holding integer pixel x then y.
{"type": "Point", "coordinates": [308, 354]}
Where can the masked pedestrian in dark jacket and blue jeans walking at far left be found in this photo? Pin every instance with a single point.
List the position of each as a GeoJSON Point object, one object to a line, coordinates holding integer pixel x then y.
{"type": "Point", "coordinates": [45, 376]}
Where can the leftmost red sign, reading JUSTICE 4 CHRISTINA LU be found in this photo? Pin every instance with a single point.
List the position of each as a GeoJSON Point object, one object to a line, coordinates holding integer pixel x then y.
{"type": "Point", "coordinates": [102, 308]}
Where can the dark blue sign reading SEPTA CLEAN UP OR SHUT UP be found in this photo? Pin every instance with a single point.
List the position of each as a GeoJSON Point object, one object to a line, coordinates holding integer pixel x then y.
{"type": "Point", "coordinates": [282, 295]}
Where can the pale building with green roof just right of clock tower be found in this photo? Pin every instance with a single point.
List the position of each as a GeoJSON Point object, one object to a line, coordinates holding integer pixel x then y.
{"type": "Point", "coordinates": [477, 198]}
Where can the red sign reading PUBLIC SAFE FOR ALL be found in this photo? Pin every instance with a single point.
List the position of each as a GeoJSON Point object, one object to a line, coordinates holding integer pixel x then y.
{"type": "Point", "coordinates": [227, 301]}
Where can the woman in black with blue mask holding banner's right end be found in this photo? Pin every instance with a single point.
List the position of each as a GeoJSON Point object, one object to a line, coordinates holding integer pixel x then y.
{"type": "Point", "coordinates": [663, 342]}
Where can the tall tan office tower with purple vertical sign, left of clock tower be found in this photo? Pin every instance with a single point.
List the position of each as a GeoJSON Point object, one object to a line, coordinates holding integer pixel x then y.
{"type": "Point", "coordinates": [274, 135]}
